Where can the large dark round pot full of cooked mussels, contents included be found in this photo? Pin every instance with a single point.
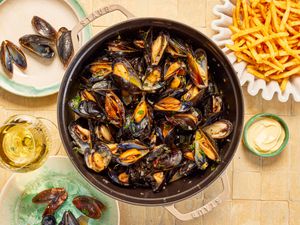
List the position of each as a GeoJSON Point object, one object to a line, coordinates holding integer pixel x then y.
{"type": "Point", "coordinates": [150, 111]}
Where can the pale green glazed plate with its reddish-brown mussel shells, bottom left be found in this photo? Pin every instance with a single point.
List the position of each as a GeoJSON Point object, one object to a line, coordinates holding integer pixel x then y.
{"type": "Point", "coordinates": [55, 194]}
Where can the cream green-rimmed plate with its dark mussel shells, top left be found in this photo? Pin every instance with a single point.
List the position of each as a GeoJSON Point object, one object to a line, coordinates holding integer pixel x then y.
{"type": "Point", "coordinates": [36, 44]}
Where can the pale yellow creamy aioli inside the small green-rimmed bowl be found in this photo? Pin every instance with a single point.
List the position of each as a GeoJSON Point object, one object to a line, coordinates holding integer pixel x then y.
{"type": "Point", "coordinates": [265, 135]}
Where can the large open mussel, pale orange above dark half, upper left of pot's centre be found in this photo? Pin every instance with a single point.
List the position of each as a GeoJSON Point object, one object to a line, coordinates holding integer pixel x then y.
{"type": "Point", "coordinates": [126, 77]}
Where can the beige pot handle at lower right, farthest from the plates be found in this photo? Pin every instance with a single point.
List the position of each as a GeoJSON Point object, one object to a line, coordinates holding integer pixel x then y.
{"type": "Point", "coordinates": [203, 209]}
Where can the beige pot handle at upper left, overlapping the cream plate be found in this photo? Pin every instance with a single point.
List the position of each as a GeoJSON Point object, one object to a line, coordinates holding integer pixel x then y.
{"type": "Point", "coordinates": [94, 15]}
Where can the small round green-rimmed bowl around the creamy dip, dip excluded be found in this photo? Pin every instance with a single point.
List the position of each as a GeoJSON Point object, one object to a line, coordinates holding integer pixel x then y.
{"type": "Point", "coordinates": [275, 117]}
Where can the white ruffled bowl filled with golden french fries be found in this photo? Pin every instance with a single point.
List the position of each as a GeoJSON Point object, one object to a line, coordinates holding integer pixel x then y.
{"type": "Point", "coordinates": [262, 40]}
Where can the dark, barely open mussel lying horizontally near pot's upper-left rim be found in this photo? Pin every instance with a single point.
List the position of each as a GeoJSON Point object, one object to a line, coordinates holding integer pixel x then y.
{"type": "Point", "coordinates": [117, 48]}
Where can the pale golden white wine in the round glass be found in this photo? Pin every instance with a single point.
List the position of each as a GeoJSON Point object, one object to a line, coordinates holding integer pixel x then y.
{"type": "Point", "coordinates": [24, 145]}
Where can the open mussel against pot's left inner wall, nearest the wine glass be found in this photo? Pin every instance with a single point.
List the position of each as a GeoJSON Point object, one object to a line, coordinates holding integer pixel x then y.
{"type": "Point", "coordinates": [80, 134]}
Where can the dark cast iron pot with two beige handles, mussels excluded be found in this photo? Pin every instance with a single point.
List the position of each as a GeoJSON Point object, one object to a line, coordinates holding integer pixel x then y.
{"type": "Point", "coordinates": [219, 67]}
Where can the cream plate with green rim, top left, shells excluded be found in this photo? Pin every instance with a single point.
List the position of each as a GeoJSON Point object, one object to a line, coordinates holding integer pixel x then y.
{"type": "Point", "coordinates": [41, 78]}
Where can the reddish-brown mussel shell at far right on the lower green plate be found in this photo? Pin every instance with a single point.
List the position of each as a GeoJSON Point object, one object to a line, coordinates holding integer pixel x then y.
{"type": "Point", "coordinates": [89, 206]}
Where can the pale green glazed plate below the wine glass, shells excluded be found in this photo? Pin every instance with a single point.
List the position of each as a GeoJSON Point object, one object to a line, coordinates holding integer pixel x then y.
{"type": "Point", "coordinates": [16, 196]}
